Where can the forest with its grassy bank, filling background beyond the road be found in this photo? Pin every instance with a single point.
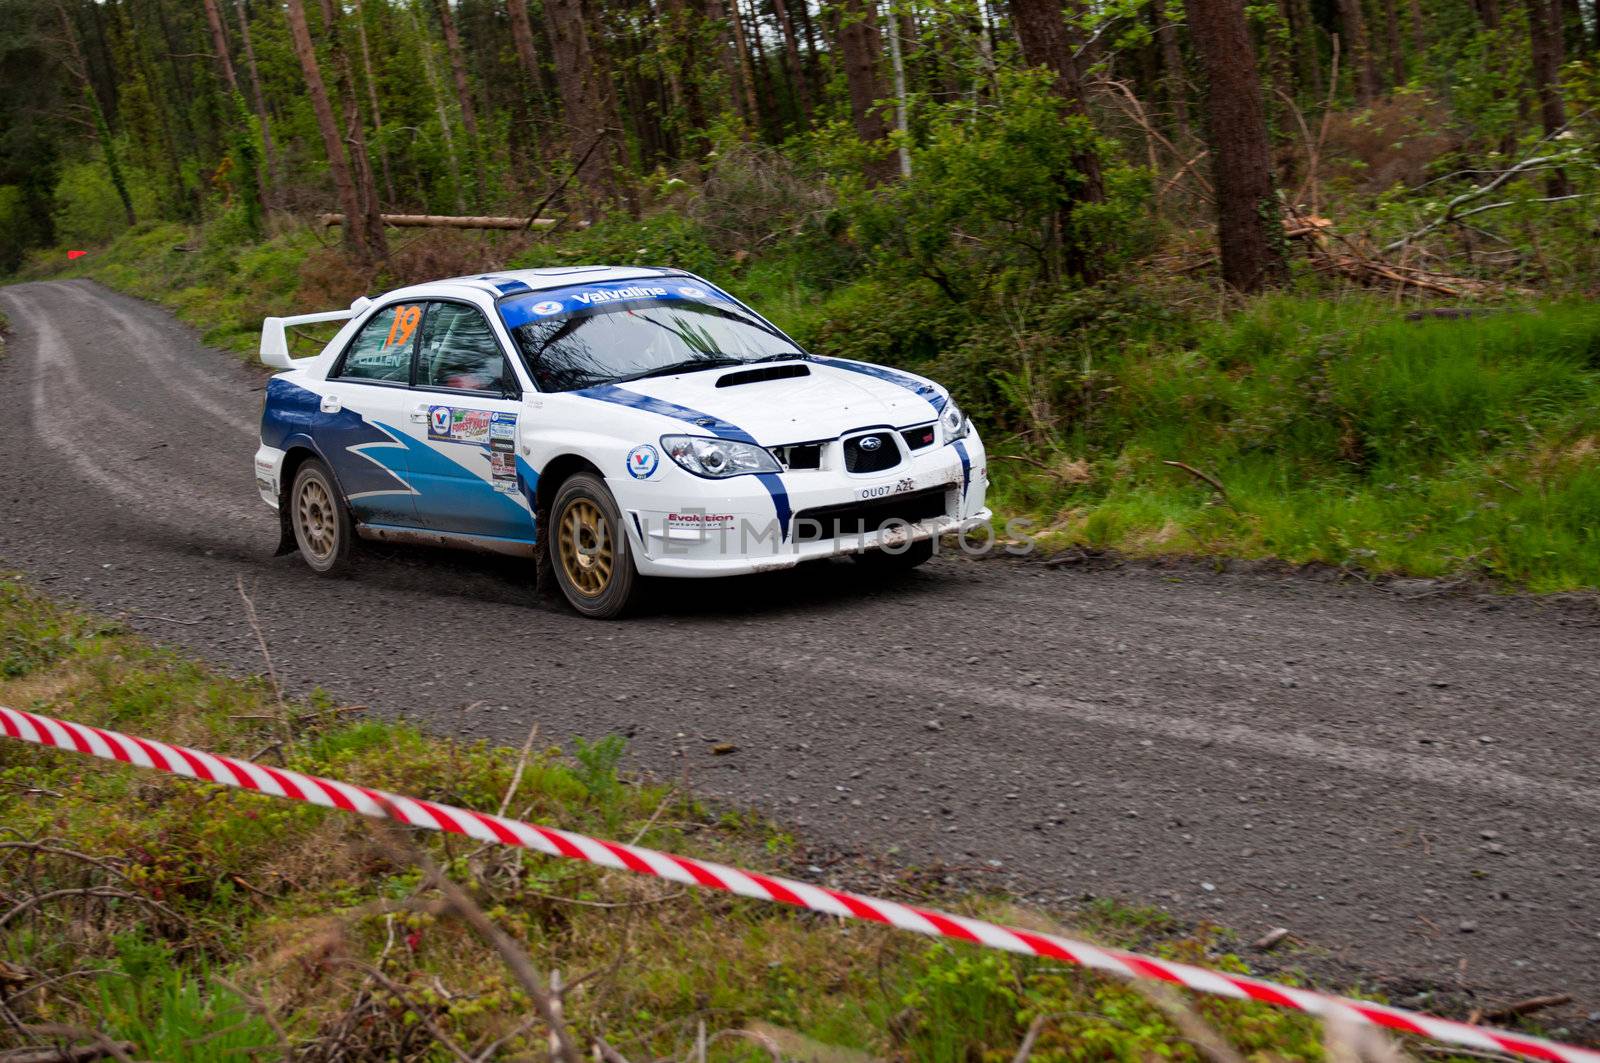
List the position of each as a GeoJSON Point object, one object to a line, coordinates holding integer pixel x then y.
{"type": "Point", "coordinates": [1338, 255]}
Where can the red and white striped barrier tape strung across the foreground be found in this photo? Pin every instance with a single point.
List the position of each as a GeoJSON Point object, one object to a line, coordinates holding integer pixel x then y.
{"type": "Point", "coordinates": [490, 828]}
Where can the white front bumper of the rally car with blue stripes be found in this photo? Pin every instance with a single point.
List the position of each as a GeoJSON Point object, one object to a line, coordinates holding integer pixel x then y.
{"type": "Point", "coordinates": [687, 526]}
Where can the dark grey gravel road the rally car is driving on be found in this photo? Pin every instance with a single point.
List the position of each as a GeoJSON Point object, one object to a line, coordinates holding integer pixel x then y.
{"type": "Point", "coordinates": [1404, 780]}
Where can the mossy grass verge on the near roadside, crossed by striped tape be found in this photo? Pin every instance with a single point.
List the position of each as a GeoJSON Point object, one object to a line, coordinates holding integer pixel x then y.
{"type": "Point", "coordinates": [220, 921]}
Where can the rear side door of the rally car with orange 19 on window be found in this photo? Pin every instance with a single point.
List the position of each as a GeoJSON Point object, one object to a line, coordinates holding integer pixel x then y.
{"type": "Point", "coordinates": [366, 407]}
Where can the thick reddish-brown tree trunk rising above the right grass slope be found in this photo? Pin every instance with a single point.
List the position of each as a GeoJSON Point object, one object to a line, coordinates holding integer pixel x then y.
{"type": "Point", "coordinates": [1249, 231]}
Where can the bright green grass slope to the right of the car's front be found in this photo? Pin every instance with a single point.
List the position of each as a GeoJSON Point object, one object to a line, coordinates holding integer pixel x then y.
{"type": "Point", "coordinates": [1348, 436]}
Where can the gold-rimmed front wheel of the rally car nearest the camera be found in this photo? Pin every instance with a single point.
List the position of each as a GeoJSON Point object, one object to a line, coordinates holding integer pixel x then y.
{"type": "Point", "coordinates": [590, 550]}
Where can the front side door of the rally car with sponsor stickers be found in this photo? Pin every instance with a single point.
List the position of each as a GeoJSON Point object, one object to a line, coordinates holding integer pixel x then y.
{"type": "Point", "coordinates": [465, 423]}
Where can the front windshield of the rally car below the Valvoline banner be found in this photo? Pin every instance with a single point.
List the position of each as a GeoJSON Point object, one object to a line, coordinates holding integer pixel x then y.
{"type": "Point", "coordinates": [622, 342]}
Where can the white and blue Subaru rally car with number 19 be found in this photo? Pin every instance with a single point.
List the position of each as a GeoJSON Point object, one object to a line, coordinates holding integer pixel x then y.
{"type": "Point", "coordinates": [610, 423]}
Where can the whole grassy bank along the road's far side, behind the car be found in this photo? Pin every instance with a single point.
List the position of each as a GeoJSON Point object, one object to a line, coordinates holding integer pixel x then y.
{"type": "Point", "coordinates": [1342, 431]}
